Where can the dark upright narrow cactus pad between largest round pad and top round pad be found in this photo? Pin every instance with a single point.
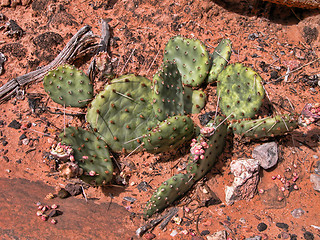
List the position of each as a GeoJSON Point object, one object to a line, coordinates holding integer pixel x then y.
{"type": "Point", "coordinates": [167, 98]}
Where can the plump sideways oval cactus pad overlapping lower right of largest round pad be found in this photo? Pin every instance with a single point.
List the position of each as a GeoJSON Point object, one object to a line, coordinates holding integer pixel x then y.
{"type": "Point", "coordinates": [169, 134]}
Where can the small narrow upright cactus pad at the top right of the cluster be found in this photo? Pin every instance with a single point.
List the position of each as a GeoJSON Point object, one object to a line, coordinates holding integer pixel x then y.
{"type": "Point", "coordinates": [220, 59]}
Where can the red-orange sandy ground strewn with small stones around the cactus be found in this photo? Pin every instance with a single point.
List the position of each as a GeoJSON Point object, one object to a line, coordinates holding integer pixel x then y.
{"type": "Point", "coordinates": [272, 39]}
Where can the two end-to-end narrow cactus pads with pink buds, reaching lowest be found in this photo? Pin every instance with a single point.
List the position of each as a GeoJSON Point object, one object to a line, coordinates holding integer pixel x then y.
{"type": "Point", "coordinates": [204, 152]}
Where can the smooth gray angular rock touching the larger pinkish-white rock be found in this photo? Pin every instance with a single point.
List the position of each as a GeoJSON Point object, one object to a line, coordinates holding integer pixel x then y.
{"type": "Point", "coordinates": [266, 154]}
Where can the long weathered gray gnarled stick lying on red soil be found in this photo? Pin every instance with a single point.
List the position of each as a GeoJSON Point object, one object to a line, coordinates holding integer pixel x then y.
{"type": "Point", "coordinates": [83, 41]}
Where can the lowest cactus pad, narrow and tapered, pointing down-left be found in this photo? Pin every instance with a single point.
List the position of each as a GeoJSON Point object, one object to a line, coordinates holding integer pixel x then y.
{"type": "Point", "coordinates": [167, 193]}
